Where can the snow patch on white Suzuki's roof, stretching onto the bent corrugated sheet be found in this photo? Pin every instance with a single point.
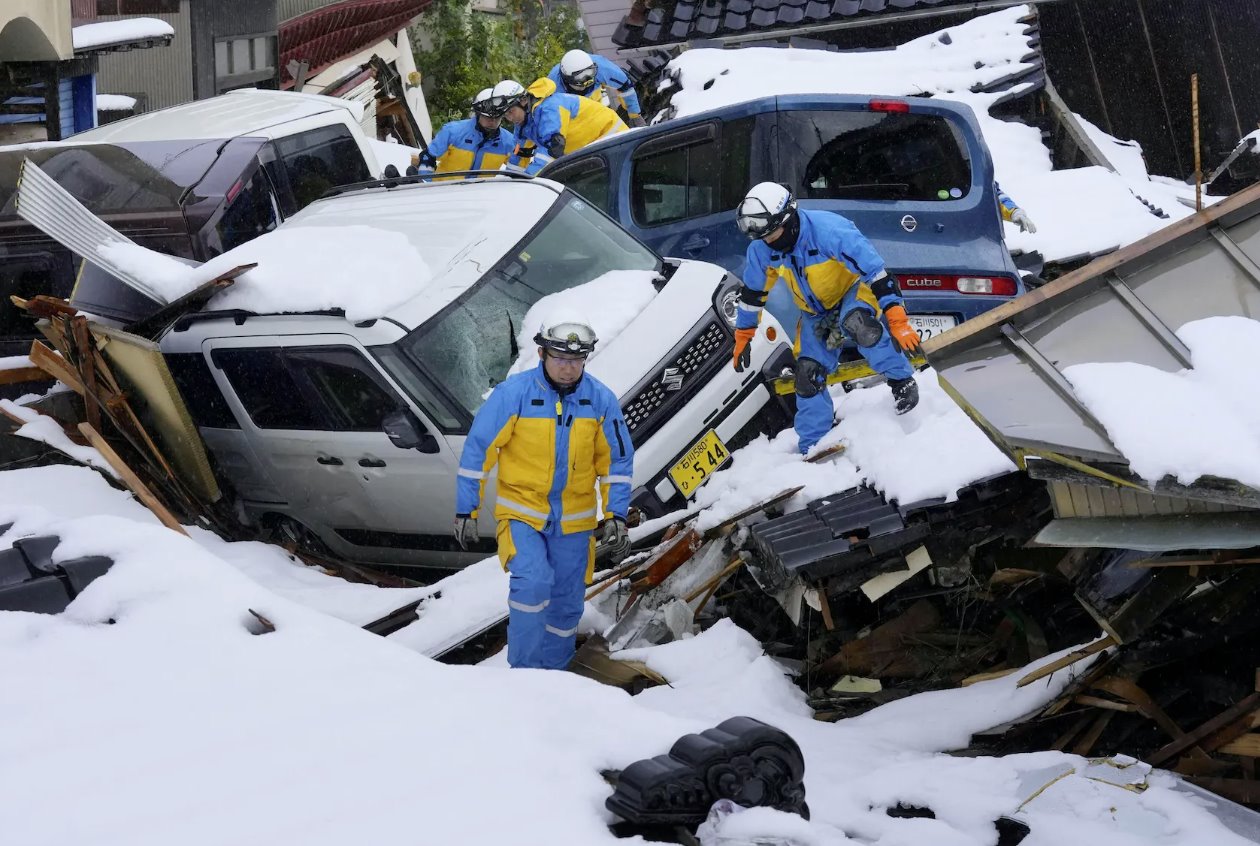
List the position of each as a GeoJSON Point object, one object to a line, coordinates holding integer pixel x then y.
{"type": "Point", "coordinates": [301, 269]}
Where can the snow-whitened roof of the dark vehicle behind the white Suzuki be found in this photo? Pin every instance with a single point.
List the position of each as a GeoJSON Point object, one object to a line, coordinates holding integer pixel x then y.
{"type": "Point", "coordinates": [248, 112]}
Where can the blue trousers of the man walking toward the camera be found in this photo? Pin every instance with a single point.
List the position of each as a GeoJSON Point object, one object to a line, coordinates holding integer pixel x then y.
{"type": "Point", "coordinates": [546, 593]}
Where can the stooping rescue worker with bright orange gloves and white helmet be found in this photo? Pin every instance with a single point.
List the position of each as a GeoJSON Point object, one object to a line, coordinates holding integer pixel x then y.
{"type": "Point", "coordinates": [840, 288]}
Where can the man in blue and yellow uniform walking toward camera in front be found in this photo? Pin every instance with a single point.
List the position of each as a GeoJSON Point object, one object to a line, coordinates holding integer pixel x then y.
{"type": "Point", "coordinates": [556, 433]}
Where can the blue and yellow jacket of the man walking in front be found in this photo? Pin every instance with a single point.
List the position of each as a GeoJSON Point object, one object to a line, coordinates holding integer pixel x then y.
{"type": "Point", "coordinates": [551, 452]}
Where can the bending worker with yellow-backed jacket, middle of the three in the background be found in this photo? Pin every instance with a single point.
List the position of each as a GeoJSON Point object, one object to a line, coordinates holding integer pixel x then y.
{"type": "Point", "coordinates": [553, 122]}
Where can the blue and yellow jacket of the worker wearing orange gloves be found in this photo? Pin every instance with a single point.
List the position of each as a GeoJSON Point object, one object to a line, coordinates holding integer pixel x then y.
{"type": "Point", "coordinates": [831, 257]}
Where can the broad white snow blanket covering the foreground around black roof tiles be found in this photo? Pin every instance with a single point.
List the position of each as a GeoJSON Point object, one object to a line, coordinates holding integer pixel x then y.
{"type": "Point", "coordinates": [154, 665]}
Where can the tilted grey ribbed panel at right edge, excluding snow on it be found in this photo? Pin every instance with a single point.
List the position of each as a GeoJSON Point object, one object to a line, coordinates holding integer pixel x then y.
{"type": "Point", "coordinates": [1006, 368]}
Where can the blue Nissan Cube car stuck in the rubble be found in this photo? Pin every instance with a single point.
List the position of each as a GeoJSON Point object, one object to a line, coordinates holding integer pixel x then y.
{"type": "Point", "coordinates": [913, 173]}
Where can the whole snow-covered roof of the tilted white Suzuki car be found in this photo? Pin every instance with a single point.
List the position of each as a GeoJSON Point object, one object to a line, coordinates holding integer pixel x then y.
{"type": "Point", "coordinates": [403, 253]}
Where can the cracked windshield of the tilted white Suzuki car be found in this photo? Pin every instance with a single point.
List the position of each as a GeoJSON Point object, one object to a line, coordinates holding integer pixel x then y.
{"type": "Point", "coordinates": [469, 346]}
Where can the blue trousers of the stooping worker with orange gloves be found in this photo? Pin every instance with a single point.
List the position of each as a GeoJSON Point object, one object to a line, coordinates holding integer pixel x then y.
{"type": "Point", "coordinates": [815, 415]}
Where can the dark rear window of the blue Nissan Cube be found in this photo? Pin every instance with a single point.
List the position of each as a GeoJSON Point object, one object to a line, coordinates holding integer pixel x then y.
{"type": "Point", "coordinates": [833, 154]}
